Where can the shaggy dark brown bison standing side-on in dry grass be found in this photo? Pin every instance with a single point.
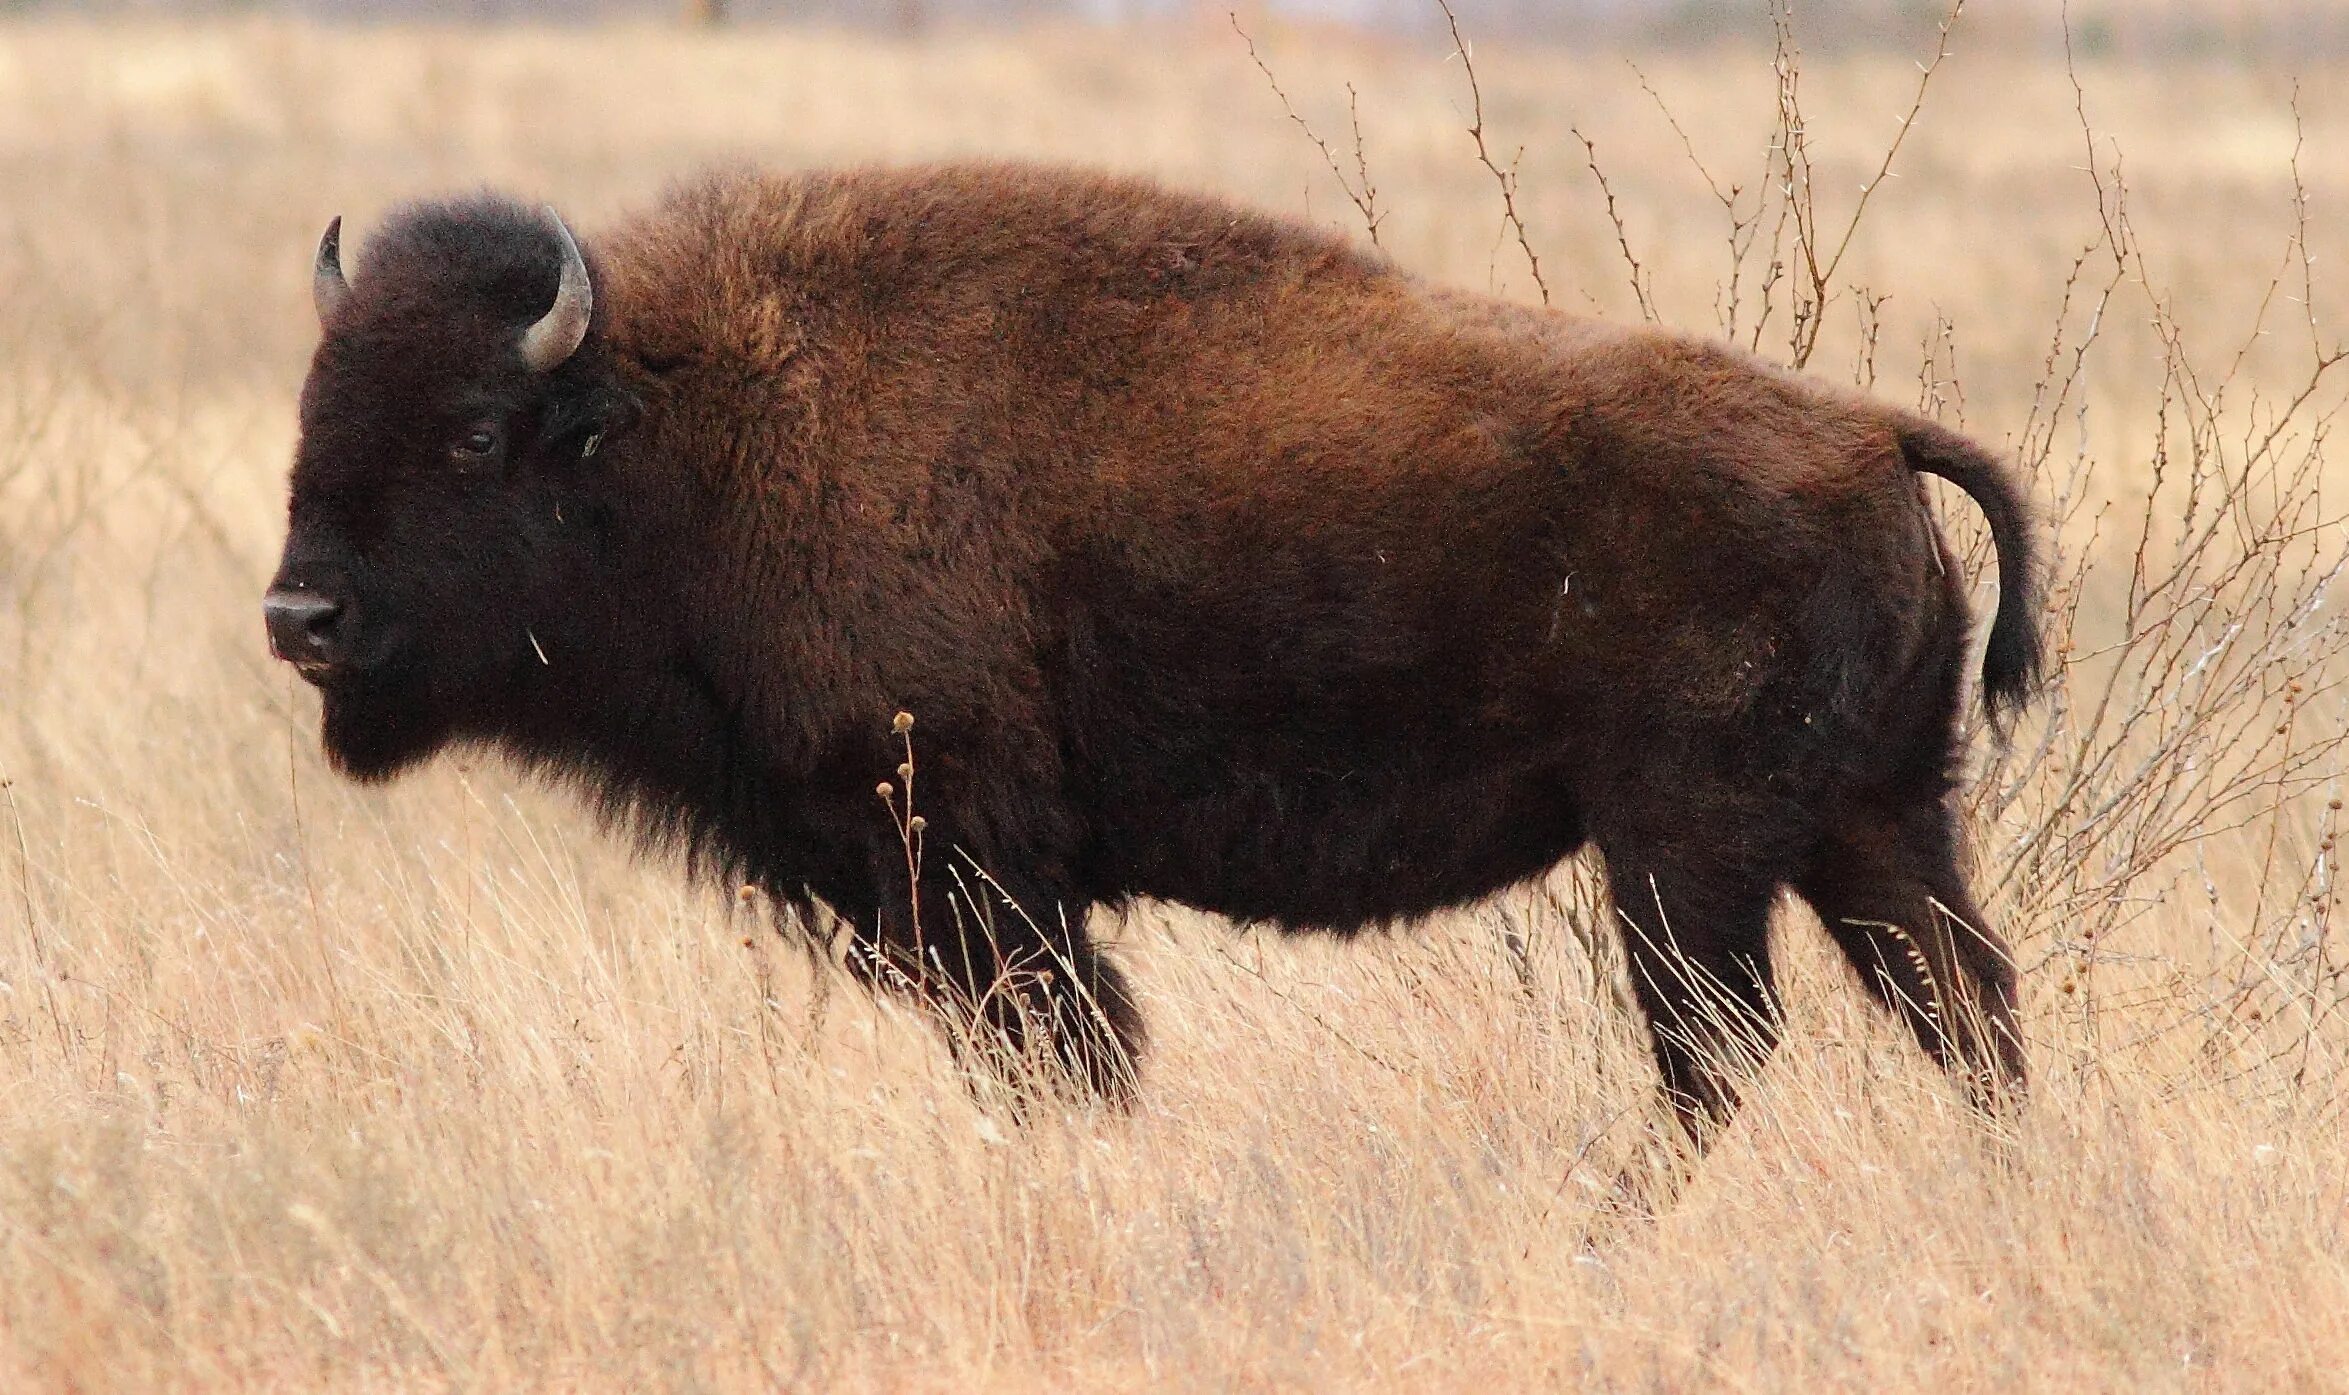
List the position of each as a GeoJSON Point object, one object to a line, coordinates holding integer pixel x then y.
{"type": "Point", "coordinates": [1220, 560]}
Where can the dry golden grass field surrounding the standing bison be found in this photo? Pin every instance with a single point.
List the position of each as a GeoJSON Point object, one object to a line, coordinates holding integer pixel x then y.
{"type": "Point", "coordinates": [314, 1089]}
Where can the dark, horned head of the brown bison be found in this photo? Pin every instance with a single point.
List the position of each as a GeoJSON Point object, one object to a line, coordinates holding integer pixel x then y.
{"type": "Point", "coordinates": [443, 513]}
